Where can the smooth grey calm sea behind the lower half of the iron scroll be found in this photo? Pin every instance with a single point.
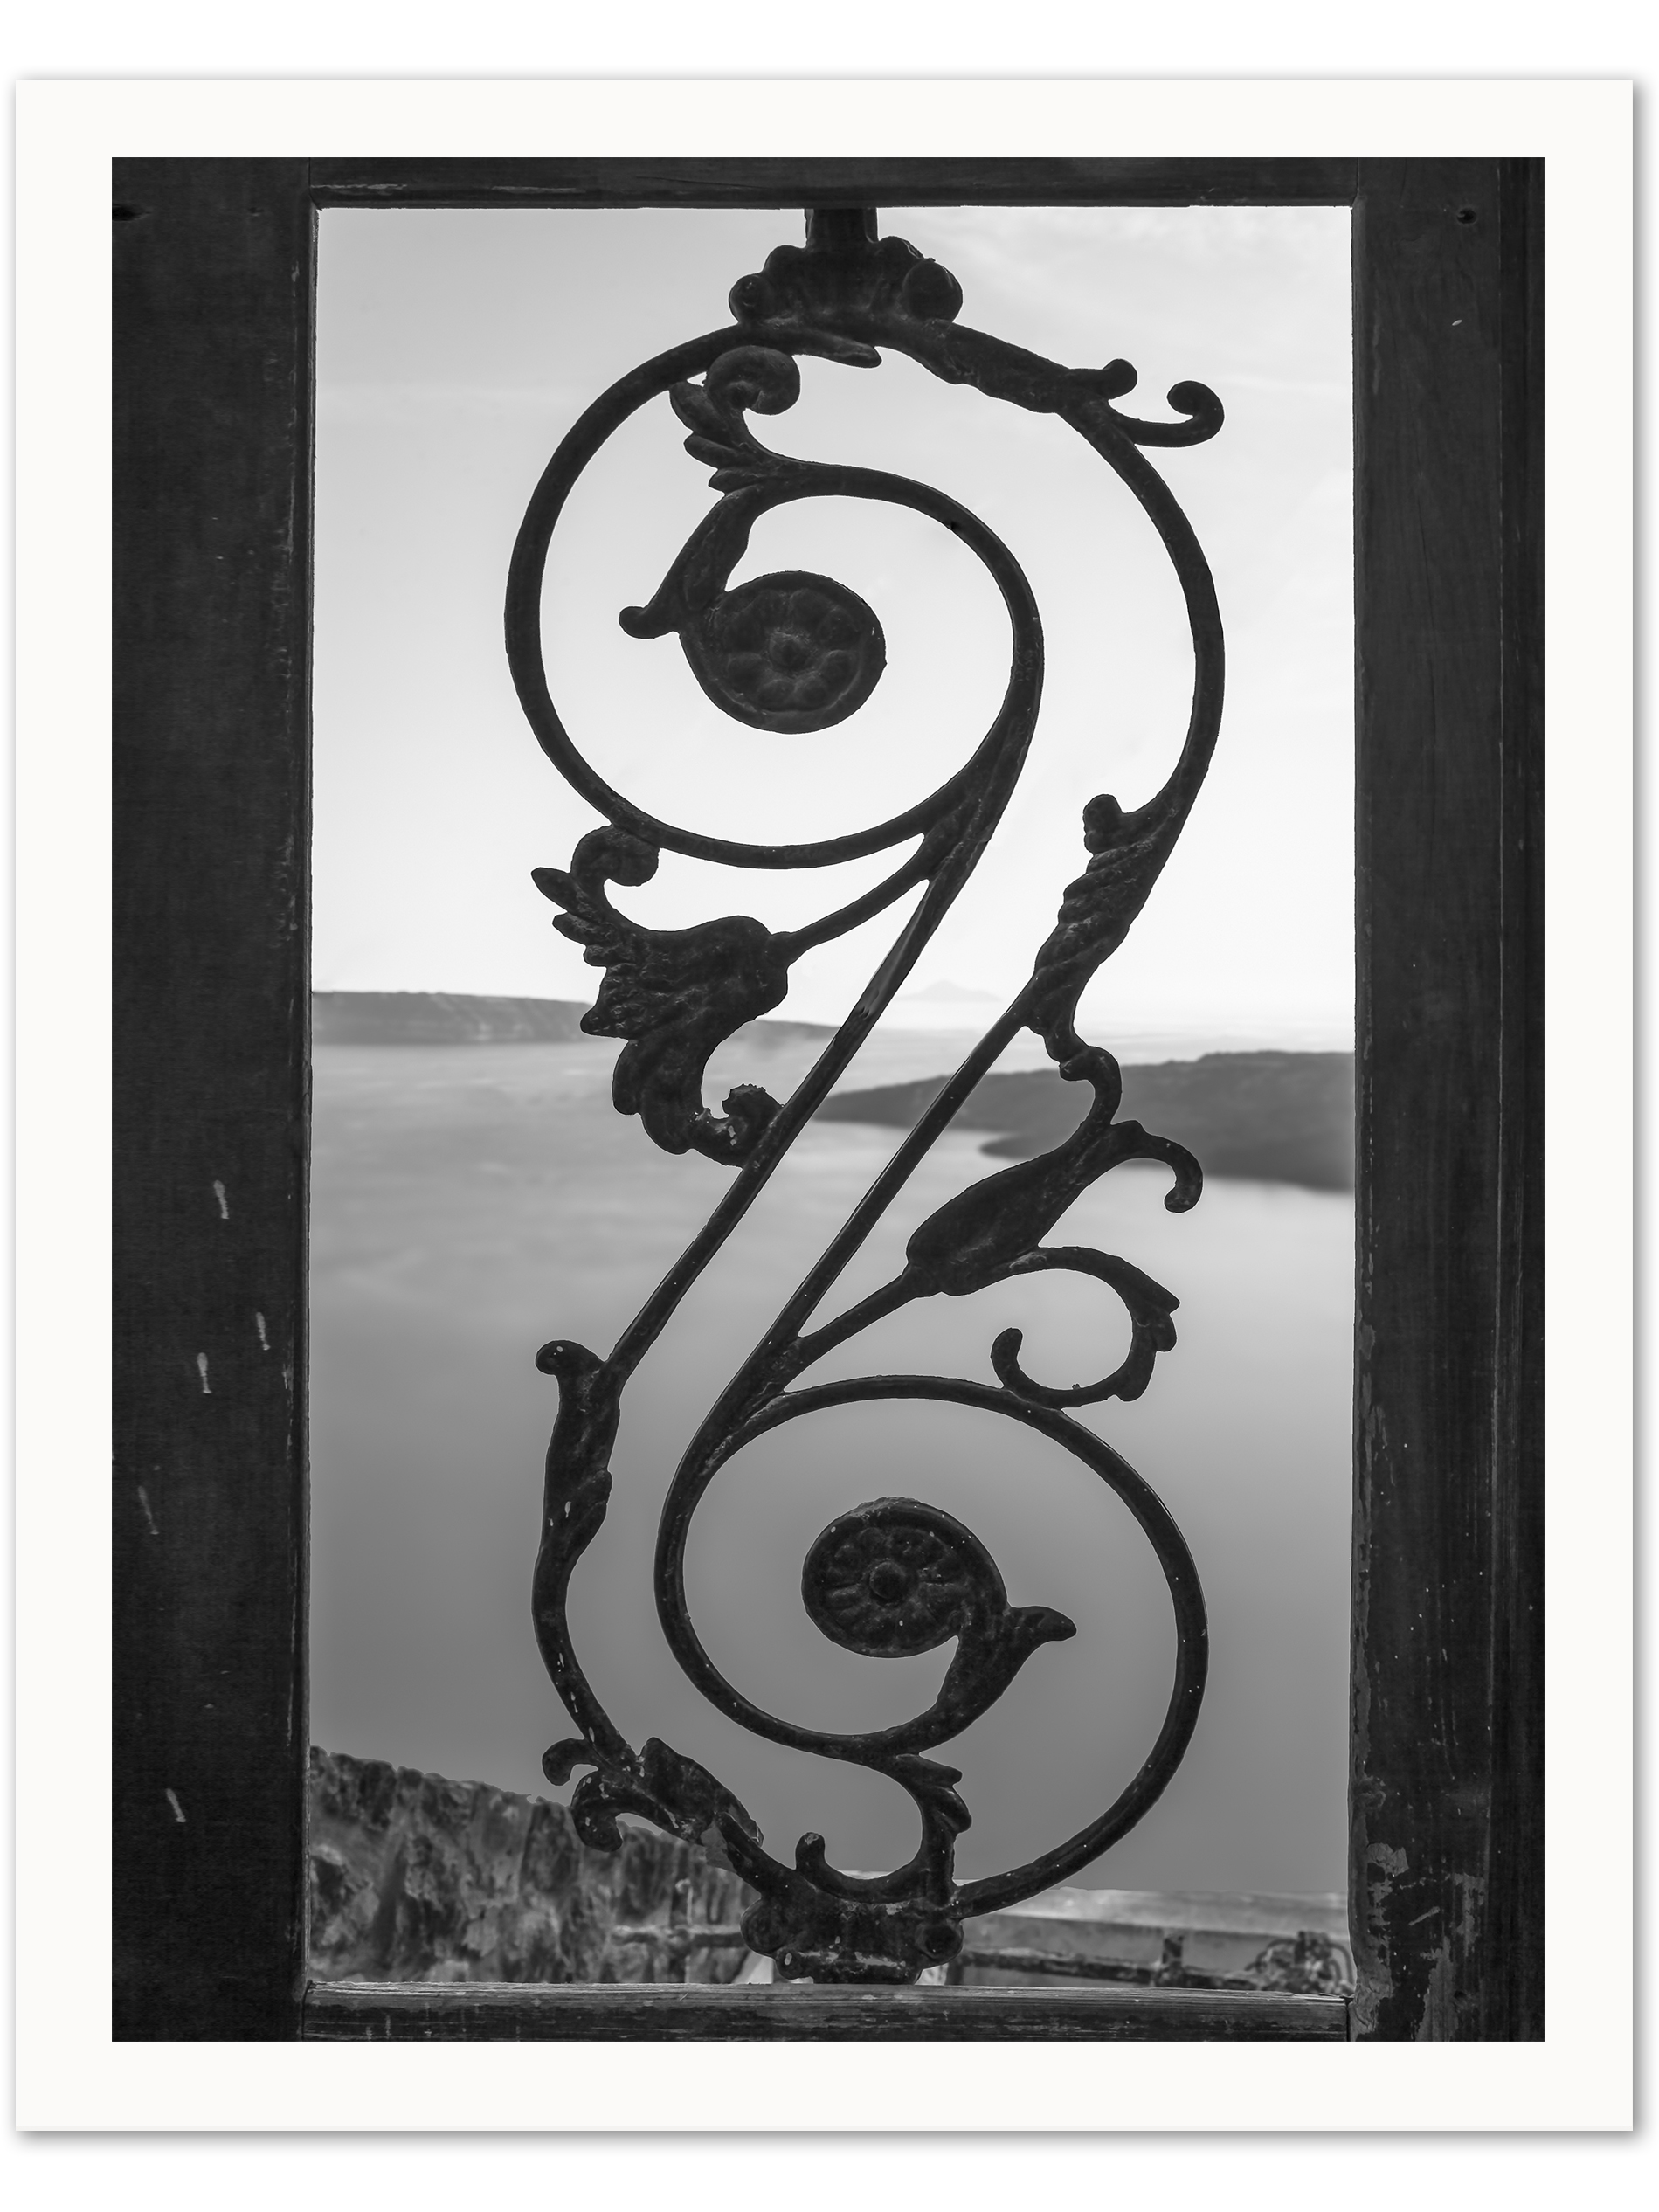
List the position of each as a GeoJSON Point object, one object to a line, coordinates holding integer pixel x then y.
{"type": "Point", "coordinates": [472, 1202]}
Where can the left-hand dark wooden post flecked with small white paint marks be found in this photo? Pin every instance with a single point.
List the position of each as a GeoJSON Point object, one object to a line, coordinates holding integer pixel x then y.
{"type": "Point", "coordinates": [213, 459]}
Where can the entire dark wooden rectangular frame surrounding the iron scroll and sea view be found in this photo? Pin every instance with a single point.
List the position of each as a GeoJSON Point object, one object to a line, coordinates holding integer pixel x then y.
{"type": "Point", "coordinates": [213, 486]}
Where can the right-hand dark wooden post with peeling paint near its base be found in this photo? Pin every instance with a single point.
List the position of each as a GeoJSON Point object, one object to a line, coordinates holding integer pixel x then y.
{"type": "Point", "coordinates": [1448, 1561]}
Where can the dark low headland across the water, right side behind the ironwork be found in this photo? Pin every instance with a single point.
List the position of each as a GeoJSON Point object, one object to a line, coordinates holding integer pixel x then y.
{"type": "Point", "coordinates": [1282, 1118]}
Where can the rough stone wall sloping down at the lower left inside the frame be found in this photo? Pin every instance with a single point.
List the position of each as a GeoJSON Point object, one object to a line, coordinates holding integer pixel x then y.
{"type": "Point", "coordinates": [417, 1879]}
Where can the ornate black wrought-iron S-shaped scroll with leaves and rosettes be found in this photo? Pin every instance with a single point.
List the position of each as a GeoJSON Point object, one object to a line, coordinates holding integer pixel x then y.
{"type": "Point", "coordinates": [800, 654]}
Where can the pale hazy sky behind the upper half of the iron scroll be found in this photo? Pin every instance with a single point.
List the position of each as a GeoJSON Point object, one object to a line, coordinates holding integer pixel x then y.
{"type": "Point", "coordinates": [455, 353]}
